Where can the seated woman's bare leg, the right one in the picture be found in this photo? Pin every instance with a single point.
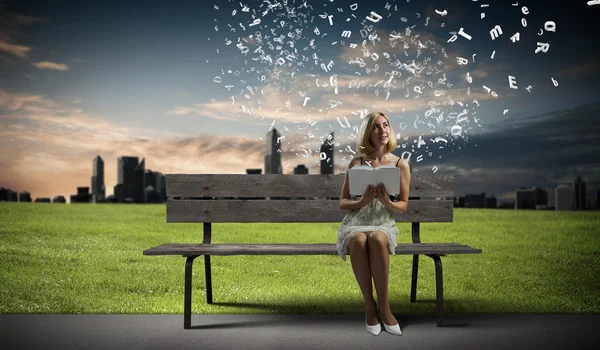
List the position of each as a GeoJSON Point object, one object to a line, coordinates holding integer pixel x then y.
{"type": "Point", "coordinates": [379, 258]}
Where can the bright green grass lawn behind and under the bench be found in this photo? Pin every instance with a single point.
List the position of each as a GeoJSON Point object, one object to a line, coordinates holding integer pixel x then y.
{"type": "Point", "coordinates": [79, 258]}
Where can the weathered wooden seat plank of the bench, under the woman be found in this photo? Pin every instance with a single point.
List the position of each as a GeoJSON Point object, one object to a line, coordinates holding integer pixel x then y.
{"type": "Point", "coordinates": [298, 249]}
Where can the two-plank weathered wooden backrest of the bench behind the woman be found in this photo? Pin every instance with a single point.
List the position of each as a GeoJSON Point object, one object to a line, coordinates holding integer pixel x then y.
{"type": "Point", "coordinates": [211, 198]}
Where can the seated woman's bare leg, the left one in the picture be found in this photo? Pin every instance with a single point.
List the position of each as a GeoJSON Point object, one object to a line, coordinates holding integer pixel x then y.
{"type": "Point", "coordinates": [359, 257]}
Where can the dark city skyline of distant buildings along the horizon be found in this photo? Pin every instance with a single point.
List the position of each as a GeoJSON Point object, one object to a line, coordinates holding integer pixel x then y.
{"type": "Point", "coordinates": [573, 195]}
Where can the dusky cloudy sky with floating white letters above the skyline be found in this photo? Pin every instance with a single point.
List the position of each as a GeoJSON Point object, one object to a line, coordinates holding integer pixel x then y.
{"type": "Point", "coordinates": [194, 87]}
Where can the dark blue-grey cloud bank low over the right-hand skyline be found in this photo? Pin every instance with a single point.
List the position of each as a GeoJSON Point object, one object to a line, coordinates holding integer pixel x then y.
{"type": "Point", "coordinates": [541, 150]}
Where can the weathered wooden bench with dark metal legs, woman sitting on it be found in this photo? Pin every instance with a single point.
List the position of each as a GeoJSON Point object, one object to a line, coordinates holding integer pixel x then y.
{"type": "Point", "coordinates": [319, 202]}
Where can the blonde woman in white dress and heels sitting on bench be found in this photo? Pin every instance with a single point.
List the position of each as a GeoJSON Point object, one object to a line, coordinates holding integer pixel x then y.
{"type": "Point", "coordinates": [369, 231]}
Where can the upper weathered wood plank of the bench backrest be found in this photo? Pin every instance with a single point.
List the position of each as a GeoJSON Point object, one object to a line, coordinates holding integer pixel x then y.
{"type": "Point", "coordinates": [287, 185]}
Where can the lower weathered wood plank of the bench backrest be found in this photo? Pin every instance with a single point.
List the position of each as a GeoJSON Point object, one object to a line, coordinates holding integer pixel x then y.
{"type": "Point", "coordinates": [293, 211]}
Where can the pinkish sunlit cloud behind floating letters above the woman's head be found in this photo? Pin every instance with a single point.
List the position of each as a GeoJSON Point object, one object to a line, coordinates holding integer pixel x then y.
{"type": "Point", "coordinates": [372, 91]}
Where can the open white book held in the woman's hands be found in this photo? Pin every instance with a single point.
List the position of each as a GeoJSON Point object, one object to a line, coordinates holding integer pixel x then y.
{"type": "Point", "coordinates": [360, 176]}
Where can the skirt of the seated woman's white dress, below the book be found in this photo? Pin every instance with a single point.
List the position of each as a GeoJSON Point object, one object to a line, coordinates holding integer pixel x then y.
{"type": "Point", "coordinates": [372, 217]}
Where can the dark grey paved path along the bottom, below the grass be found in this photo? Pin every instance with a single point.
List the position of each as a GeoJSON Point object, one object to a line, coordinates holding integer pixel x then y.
{"type": "Point", "coordinates": [474, 331]}
